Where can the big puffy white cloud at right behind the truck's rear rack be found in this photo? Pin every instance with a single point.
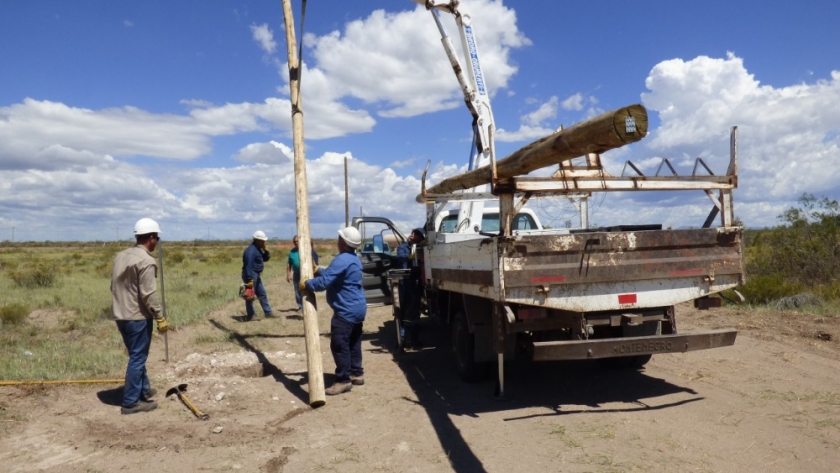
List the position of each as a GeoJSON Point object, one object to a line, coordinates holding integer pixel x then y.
{"type": "Point", "coordinates": [788, 137]}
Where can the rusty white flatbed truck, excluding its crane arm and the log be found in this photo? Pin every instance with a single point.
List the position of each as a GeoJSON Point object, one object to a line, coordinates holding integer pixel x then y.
{"type": "Point", "coordinates": [605, 293]}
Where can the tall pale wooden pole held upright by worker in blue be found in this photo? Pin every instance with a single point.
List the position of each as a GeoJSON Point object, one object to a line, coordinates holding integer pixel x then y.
{"type": "Point", "coordinates": [310, 314]}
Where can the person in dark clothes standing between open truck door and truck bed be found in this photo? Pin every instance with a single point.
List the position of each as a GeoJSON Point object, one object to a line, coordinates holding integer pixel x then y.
{"type": "Point", "coordinates": [408, 257]}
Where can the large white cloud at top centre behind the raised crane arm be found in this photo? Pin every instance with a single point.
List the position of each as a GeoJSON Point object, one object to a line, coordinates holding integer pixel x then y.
{"type": "Point", "coordinates": [411, 76]}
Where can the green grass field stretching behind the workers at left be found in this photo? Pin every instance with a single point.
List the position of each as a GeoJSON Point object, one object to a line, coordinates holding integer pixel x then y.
{"type": "Point", "coordinates": [55, 302]}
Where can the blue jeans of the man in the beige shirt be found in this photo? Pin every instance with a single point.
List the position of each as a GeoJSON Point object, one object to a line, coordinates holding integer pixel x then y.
{"type": "Point", "coordinates": [137, 336]}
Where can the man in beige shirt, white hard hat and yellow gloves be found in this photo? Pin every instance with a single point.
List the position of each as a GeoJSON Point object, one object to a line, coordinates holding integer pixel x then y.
{"type": "Point", "coordinates": [134, 304]}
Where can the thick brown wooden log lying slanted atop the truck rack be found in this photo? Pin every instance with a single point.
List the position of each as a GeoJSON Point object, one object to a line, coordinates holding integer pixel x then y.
{"type": "Point", "coordinates": [605, 132]}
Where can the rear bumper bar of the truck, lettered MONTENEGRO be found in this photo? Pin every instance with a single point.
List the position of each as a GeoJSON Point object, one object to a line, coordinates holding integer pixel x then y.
{"type": "Point", "coordinates": [633, 346]}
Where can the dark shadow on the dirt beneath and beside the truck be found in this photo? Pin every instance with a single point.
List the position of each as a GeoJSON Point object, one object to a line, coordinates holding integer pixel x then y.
{"type": "Point", "coordinates": [561, 388]}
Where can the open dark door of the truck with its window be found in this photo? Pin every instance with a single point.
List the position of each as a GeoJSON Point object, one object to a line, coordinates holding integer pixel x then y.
{"type": "Point", "coordinates": [377, 253]}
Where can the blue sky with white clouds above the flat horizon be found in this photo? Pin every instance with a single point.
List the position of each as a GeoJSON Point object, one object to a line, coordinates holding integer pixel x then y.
{"type": "Point", "coordinates": [180, 111]}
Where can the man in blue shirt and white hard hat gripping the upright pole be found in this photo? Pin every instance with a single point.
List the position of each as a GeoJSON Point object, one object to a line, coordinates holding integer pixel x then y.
{"type": "Point", "coordinates": [342, 280]}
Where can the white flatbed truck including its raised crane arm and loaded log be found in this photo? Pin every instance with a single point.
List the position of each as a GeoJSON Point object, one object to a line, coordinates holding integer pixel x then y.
{"type": "Point", "coordinates": [589, 293]}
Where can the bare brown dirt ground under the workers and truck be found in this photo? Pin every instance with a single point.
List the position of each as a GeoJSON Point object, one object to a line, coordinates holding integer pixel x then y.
{"type": "Point", "coordinates": [771, 403]}
